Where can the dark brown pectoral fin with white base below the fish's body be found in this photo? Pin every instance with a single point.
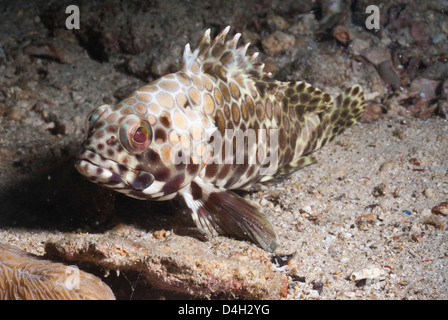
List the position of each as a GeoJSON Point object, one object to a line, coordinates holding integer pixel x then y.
{"type": "Point", "coordinates": [215, 209]}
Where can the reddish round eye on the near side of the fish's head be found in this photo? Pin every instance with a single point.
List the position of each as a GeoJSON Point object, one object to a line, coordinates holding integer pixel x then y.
{"type": "Point", "coordinates": [135, 134]}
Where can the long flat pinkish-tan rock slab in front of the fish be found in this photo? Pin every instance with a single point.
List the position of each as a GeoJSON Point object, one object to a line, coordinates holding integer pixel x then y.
{"type": "Point", "coordinates": [178, 264]}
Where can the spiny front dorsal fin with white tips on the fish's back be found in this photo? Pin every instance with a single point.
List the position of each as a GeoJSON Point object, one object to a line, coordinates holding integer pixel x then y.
{"type": "Point", "coordinates": [222, 58]}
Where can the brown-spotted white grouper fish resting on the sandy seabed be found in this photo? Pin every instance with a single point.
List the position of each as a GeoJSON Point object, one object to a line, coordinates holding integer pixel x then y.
{"type": "Point", "coordinates": [219, 124]}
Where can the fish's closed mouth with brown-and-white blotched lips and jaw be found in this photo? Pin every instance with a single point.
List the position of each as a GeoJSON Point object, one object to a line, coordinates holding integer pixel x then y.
{"type": "Point", "coordinates": [112, 174]}
